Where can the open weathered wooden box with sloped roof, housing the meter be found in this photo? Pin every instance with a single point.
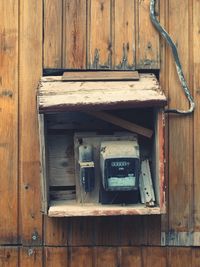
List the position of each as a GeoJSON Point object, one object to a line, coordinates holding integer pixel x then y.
{"type": "Point", "coordinates": [73, 109]}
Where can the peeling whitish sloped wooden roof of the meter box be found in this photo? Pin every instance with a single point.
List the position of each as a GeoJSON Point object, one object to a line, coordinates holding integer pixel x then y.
{"type": "Point", "coordinates": [61, 96]}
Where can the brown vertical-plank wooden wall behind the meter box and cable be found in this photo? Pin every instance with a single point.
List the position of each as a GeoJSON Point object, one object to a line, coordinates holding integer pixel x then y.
{"type": "Point", "coordinates": [73, 30]}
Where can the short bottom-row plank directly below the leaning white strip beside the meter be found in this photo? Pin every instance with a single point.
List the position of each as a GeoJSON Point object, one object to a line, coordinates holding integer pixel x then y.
{"type": "Point", "coordinates": [154, 256]}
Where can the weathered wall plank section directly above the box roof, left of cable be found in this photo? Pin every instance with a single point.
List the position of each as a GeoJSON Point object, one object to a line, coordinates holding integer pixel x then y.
{"type": "Point", "coordinates": [99, 34]}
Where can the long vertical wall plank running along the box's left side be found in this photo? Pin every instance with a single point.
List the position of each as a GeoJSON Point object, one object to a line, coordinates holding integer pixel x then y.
{"type": "Point", "coordinates": [29, 159]}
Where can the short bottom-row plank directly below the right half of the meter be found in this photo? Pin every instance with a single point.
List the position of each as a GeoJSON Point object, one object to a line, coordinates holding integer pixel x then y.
{"type": "Point", "coordinates": [131, 257]}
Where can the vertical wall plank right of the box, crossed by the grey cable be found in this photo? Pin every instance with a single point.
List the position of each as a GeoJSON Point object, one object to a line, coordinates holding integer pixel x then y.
{"type": "Point", "coordinates": [180, 128]}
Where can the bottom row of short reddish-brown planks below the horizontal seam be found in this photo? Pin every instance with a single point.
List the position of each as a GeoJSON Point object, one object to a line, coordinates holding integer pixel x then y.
{"type": "Point", "coordinates": [99, 256]}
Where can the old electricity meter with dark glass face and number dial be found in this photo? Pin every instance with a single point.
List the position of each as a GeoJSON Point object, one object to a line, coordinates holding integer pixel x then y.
{"type": "Point", "coordinates": [120, 165]}
